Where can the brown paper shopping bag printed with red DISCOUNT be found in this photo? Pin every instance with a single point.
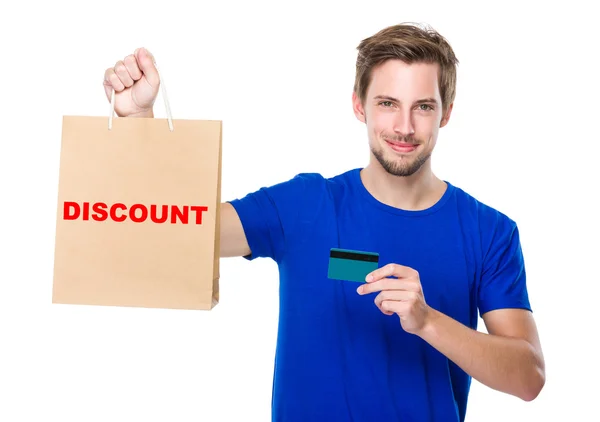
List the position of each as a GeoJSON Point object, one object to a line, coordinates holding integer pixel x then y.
{"type": "Point", "coordinates": [138, 213]}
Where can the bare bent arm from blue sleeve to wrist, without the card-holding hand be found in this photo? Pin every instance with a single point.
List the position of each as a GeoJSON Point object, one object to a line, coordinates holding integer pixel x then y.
{"type": "Point", "coordinates": [508, 359]}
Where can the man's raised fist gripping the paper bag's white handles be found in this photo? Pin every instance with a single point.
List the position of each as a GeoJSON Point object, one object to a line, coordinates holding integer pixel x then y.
{"type": "Point", "coordinates": [136, 82]}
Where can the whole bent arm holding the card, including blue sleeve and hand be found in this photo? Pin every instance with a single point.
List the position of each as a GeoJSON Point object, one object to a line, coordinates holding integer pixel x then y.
{"type": "Point", "coordinates": [509, 358]}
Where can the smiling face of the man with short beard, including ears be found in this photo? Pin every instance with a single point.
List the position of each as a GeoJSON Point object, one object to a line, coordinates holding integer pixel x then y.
{"type": "Point", "coordinates": [403, 114]}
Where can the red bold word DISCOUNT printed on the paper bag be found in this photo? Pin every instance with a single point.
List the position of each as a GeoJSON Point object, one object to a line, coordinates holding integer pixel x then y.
{"type": "Point", "coordinates": [138, 213]}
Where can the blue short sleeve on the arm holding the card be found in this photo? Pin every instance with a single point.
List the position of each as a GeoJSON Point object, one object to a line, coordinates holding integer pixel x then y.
{"type": "Point", "coordinates": [503, 282]}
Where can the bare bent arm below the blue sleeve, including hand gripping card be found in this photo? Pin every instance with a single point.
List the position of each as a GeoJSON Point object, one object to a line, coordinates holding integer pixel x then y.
{"type": "Point", "coordinates": [508, 359]}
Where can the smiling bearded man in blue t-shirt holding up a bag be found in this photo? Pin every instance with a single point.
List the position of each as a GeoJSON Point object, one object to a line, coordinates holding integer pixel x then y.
{"type": "Point", "coordinates": [402, 346]}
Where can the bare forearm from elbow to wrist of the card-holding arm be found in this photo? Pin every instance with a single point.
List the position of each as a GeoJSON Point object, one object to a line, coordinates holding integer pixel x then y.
{"type": "Point", "coordinates": [505, 364]}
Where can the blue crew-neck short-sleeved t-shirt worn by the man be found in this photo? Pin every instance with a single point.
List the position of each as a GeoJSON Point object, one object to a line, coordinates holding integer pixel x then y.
{"type": "Point", "coordinates": [338, 357]}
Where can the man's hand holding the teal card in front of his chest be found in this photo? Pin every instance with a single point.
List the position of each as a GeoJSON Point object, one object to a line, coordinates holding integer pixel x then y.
{"type": "Point", "coordinates": [402, 295]}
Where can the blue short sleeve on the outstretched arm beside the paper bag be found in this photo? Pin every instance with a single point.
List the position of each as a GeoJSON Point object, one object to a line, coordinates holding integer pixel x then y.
{"type": "Point", "coordinates": [269, 215]}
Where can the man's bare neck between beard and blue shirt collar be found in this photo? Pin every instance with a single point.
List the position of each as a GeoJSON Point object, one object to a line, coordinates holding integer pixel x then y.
{"type": "Point", "coordinates": [417, 192]}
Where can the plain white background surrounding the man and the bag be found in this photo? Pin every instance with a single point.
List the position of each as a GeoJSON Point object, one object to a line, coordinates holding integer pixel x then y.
{"type": "Point", "coordinates": [522, 138]}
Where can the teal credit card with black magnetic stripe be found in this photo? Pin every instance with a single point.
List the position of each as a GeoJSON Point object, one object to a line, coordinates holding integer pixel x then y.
{"type": "Point", "coordinates": [349, 265]}
